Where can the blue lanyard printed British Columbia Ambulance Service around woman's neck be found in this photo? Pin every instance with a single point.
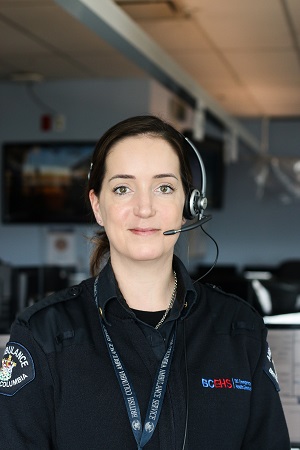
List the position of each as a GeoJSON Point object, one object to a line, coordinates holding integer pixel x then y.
{"type": "Point", "coordinates": [142, 435]}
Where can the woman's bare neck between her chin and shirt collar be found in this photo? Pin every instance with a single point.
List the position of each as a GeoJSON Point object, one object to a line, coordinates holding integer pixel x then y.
{"type": "Point", "coordinates": [145, 285]}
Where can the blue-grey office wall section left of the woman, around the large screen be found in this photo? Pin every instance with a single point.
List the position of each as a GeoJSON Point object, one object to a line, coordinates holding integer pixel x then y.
{"type": "Point", "coordinates": [90, 107]}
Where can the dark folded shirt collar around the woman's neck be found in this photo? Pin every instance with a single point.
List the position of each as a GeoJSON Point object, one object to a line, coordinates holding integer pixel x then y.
{"type": "Point", "coordinates": [186, 293]}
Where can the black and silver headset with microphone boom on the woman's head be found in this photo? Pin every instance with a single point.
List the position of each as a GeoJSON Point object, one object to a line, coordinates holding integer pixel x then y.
{"type": "Point", "coordinates": [195, 202]}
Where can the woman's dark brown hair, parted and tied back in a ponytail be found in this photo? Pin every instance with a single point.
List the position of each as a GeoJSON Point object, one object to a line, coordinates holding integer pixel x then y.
{"type": "Point", "coordinates": [134, 126]}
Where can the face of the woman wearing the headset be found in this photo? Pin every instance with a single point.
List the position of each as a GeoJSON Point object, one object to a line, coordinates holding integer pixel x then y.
{"type": "Point", "coordinates": [141, 197]}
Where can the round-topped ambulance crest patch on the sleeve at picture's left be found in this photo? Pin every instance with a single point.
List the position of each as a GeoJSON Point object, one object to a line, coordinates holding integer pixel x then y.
{"type": "Point", "coordinates": [17, 369]}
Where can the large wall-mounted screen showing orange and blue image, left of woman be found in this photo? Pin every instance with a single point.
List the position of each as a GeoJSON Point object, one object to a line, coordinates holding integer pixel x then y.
{"type": "Point", "coordinates": [45, 182]}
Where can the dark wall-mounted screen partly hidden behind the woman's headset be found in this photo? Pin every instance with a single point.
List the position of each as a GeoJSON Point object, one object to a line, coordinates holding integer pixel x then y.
{"type": "Point", "coordinates": [211, 150]}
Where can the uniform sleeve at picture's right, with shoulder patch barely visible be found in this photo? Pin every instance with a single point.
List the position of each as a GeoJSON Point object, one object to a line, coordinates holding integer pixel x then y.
{"type": "Point", "coordinates": [267, 426]}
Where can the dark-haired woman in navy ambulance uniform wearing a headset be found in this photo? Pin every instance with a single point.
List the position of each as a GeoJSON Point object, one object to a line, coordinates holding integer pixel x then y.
{"type": "Point", "coordinates": [139, 356]}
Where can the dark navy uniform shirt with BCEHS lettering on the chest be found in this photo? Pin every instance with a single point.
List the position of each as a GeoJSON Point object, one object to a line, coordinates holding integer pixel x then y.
{"type": "Point", "coordinates": [58, 388]}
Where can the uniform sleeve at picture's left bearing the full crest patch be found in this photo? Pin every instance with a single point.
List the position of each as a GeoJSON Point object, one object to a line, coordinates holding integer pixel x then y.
{"type": "Point", "coordinates": [26, 394]}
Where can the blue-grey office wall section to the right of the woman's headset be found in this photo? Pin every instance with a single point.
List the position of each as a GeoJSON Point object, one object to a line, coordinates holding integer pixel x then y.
{"type": "Point", "coordinates": [256, 228]}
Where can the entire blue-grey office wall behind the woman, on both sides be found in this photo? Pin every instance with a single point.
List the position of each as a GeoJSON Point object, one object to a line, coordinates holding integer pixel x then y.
{"type": "Point", "coordinates": [249, 229]}
